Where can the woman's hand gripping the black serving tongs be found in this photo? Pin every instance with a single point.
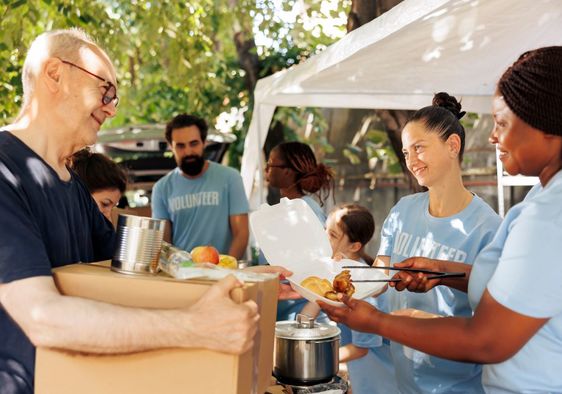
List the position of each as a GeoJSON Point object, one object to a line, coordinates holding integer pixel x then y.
{"type": "Point", "coordinates": [416, 281]}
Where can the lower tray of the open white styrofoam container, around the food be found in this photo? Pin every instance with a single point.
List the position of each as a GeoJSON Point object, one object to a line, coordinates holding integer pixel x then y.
{"type": "Point", "coordinates": [326, 268]}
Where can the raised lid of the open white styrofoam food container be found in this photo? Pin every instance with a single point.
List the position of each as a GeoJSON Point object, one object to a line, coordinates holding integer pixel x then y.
{"type": "Point", "coordinates": [290, 234]}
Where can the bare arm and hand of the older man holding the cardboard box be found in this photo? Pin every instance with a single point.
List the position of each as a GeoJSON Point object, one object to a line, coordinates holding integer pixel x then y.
{"type": "Point", "coordinates": [77, 324]}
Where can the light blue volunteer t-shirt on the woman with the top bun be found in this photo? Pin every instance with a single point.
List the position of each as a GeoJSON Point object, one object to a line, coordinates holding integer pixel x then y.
{"type": "Point", "coordinates": [410, 230]}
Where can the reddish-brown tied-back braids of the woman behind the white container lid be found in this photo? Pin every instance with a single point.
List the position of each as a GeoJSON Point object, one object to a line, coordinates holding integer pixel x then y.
{"type": "Point", "coordinates": [310, 176]}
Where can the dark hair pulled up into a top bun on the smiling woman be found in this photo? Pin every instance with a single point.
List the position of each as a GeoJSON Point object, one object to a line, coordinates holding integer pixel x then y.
{"type": "Point", "coordinates": [443, 117]}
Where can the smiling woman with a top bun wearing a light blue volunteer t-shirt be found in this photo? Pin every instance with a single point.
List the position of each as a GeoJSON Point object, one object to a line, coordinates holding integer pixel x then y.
{"type": "Point", "coordinates": [446, 222]}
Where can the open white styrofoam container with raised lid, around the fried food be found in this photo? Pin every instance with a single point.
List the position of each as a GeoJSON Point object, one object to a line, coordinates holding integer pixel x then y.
{"type": "Point", "coordinates": [290, 235]}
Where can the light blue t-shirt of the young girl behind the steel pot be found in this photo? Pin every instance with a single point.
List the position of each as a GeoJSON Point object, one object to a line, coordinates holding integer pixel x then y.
{"type": "Point", "coordinates": [374, 372]}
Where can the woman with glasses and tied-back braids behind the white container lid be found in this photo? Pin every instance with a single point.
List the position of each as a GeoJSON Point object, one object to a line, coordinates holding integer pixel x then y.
{"type": "Point", "coordinates": [293, 169]}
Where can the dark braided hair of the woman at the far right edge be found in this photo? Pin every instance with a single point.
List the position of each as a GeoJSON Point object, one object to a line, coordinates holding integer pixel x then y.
{"type": "Point", "coordinates": [532, 89]}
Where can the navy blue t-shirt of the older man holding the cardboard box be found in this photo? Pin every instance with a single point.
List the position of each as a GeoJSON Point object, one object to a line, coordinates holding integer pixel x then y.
{"type": "Point", "coordinates": [44, 223]}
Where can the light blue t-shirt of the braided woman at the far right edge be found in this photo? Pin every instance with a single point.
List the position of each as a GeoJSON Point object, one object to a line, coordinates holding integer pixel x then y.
{"type": "Point", "coordinates": [522, 270]}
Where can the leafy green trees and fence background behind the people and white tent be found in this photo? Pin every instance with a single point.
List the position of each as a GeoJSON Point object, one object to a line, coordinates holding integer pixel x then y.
{"type": "Point", "coordinates": [205, 56]}
